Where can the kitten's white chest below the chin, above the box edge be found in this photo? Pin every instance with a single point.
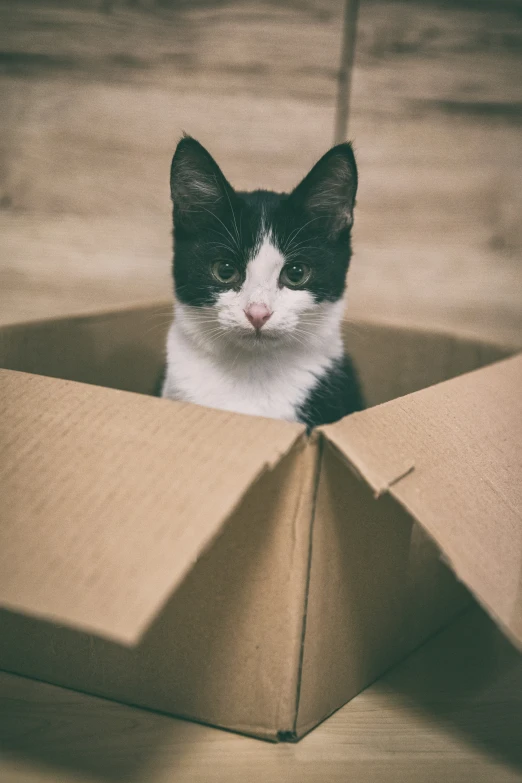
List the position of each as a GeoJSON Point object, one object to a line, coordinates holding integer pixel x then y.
{"type": "Point", "coordinates": [258, 387]}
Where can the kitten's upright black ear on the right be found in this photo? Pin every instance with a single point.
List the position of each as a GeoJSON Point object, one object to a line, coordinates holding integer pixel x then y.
{"type": "Point", "coordinates": [328, 191]}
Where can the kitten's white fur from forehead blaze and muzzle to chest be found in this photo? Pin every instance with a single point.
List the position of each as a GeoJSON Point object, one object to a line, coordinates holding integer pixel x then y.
{"type": "Point", "coordinates": [215, 358]}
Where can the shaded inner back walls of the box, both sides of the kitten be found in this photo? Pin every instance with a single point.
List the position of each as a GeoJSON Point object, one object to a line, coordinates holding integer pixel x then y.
{"type": "Point", "coordinates": [125, 349]}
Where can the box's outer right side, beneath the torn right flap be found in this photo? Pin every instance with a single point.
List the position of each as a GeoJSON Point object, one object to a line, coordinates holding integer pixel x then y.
{"type": "Point", "coordinates": [377, 590]}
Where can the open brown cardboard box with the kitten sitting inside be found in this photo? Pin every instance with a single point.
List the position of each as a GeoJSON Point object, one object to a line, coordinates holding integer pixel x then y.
{"type": "Point", "coordinates": [230, 569]}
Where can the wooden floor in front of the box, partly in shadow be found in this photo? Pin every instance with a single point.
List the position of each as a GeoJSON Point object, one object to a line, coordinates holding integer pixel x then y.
{"type": "Point", "coordinates": [450, 713]}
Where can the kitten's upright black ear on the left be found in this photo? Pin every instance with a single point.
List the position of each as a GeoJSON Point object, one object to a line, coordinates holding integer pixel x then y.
{"type": "Point", "coordinates": [198, 187]}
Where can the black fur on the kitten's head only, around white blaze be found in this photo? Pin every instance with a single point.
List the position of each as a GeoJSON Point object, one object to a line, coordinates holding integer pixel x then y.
{"type": "Point", "coordinates": [325, 237]}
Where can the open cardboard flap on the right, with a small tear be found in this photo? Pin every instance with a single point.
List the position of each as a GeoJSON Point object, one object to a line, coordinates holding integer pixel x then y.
{"type": "Point", "coordinates": [452, 456]}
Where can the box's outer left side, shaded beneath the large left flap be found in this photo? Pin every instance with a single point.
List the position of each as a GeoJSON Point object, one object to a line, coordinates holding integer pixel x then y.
{"type": "Point", "coordinates": [225, 648]}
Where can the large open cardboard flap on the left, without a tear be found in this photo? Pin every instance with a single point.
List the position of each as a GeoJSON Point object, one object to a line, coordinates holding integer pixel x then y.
{"type": "Point", "coordinates": [109, 497]}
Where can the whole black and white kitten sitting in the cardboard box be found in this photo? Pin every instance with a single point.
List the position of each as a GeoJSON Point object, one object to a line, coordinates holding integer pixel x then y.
{"type": "Point", "coordinates": [259, 282]}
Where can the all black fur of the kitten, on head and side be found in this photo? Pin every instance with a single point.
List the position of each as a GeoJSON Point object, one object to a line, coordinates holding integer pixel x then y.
{"type": "Point", "coordinates": [320, 209]}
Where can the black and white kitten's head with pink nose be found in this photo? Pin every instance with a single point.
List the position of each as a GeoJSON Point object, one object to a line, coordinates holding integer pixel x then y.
{"type": "Point", "coordinates": [255, 269]}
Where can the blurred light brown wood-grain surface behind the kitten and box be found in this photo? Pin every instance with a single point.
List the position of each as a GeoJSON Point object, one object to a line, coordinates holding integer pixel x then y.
{"type": "Point", "coordinates": [94, 95]}
